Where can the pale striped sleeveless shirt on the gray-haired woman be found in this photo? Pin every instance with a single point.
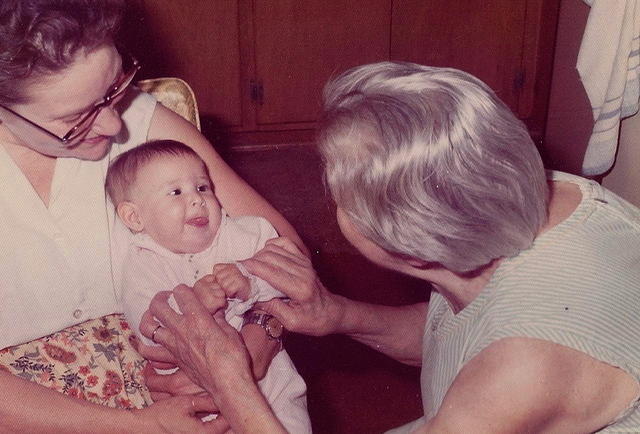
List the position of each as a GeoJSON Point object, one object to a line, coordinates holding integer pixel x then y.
{"type": "Point", "coordinates": [578, 285]}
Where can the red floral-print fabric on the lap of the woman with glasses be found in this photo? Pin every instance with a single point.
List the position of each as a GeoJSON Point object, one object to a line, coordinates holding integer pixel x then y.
{"type": "Point", "coordinates": [95, 361]}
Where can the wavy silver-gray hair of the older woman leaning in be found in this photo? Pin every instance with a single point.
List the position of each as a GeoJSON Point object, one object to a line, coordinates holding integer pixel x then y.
{"type": "Point", "coordinates": [428, 162]}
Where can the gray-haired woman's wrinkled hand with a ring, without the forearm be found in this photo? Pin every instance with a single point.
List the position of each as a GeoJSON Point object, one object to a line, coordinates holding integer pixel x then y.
{"type": "Point", "coordinates": [209, 351]}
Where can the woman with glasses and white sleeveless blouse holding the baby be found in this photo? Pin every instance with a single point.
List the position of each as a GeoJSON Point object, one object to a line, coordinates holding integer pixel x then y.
{"type": "Point", "coordinates": [67, 108]}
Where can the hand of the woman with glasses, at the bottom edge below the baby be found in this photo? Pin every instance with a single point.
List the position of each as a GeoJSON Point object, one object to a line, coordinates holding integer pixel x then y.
{"type": "Point", "coordinates": [179, 415]}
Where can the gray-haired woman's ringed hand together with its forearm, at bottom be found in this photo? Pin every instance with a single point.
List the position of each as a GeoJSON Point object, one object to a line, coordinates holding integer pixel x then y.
{"type": "Point", "coordinates": [212, 354]}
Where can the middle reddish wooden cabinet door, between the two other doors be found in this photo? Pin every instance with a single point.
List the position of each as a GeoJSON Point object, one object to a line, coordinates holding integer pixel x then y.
{"type": "Point", "coordinates": [299, 45]}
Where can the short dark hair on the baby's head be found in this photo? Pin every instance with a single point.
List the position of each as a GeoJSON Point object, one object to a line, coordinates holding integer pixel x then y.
{"type": "Point", "coordinates": [124, 170]}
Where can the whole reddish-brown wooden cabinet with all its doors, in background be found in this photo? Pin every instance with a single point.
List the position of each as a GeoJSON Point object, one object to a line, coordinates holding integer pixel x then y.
{"type": "Point", "coordinates": [258, 66]}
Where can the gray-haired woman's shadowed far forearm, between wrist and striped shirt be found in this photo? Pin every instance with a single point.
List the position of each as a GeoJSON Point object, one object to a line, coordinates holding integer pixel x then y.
{"type": "Point", "coordinates": [394, 331]}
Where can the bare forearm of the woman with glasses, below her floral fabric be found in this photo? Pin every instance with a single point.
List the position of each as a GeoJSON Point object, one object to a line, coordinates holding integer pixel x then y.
{"type": "Point", "coordinates": [27, 407]}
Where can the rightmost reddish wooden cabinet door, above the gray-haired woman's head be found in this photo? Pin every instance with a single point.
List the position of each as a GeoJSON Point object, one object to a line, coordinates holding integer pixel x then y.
{"type": "Point", "coordinates": [482, 37]}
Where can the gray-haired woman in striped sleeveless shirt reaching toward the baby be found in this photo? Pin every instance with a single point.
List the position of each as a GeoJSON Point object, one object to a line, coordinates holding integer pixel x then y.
{"type": "Point", "coordinates": [532, 323]}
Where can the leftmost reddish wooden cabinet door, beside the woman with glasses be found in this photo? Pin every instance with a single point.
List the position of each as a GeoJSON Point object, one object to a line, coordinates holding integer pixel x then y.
{"type": "Point", "coordinates": [197, 40]}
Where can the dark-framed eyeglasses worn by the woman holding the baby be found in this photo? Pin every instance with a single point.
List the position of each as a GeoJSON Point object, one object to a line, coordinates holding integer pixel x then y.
{"type": "Point", "coordinates": [129, 64]}
